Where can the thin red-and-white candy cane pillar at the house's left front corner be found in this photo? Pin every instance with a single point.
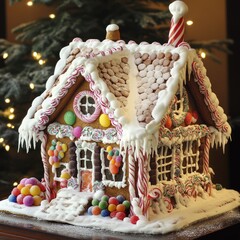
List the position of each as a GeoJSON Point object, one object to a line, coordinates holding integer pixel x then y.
{"type": "Point", "coordinates": [45, 167]}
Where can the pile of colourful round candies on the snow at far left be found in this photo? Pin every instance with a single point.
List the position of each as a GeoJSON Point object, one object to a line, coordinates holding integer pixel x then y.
{"type": "Point", "coordinates": [30, 192]}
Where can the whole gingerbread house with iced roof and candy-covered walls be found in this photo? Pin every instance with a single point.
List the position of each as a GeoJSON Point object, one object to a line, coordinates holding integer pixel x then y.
{"type": "Point", "coordinates": [132, 119]}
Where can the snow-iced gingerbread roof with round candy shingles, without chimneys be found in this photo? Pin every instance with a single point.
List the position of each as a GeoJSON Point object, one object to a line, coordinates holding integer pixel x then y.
{"type": "Point", "coordinates": [134, 84]}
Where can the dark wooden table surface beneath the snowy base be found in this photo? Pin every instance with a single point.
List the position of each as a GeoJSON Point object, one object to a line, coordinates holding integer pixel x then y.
{"type": "Point", "coordinates": [16, 227]}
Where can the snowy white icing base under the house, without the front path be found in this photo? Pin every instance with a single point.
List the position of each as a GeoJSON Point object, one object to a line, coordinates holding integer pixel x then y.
{"type": "Point", "coordinates": [220, 202]}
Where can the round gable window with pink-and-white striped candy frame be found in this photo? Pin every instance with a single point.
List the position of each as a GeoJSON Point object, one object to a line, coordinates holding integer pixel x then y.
{"type": "Point", "coordinates": [86, 106]}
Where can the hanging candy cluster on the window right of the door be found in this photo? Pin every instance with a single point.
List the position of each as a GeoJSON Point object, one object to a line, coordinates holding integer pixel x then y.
{"type": "Point", "coordinates": [115, 160]}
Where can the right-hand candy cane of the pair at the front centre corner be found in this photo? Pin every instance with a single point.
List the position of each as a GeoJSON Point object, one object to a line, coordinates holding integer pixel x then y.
{"type": "Point", "coordinates": [142, 182]}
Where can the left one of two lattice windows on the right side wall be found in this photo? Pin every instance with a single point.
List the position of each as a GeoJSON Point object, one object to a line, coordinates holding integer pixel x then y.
{"type": "Point", "coordinates": [164, 163]}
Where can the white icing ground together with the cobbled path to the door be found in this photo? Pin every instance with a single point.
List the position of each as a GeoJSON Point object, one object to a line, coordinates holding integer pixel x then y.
{"type": "Point", "coordinates": [69, 203]}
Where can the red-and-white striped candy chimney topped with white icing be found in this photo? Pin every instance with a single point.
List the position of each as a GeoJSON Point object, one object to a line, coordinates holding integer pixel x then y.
{"type": "Point", "coordinates": [178, 9]}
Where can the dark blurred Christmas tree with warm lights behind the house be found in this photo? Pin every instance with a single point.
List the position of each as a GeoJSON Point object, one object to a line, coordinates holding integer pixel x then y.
{"type": "Point", "coordinates": [29, 63]}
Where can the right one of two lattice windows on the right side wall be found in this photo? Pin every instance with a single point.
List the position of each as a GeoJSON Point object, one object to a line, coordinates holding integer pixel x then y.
{"type": "Point", "coordinates": [190, 156]}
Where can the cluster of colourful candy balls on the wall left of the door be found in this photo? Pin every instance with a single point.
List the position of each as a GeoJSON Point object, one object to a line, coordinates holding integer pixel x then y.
{"type": "Point", "coordinates": [56, 152]}
